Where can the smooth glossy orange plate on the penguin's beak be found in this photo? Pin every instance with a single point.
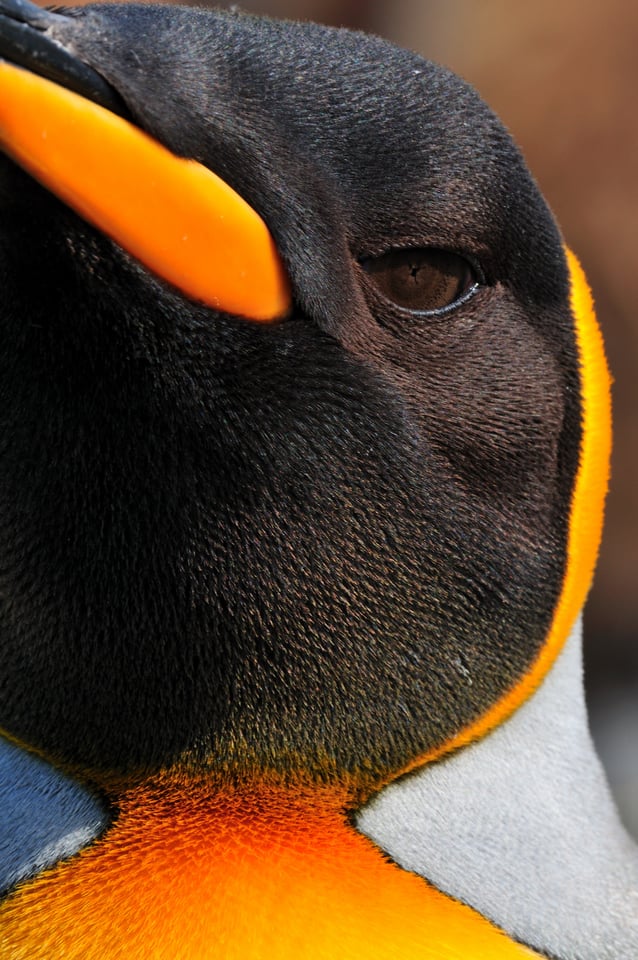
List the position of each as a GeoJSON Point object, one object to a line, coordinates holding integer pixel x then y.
{"type": "Point", "coordinates": [174, 215]}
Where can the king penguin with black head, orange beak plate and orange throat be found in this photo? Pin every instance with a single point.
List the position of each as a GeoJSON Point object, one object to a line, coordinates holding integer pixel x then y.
{"type": "Point", "coordinates": [305, 426]}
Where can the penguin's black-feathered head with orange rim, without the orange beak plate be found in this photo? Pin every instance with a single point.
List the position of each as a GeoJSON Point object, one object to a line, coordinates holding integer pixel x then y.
{"type": "Point", "coordinates": [324, 545]}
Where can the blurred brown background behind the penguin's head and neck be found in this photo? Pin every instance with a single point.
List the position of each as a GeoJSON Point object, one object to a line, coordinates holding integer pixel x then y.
{"type": "Point", "coordinates": [563, 77]}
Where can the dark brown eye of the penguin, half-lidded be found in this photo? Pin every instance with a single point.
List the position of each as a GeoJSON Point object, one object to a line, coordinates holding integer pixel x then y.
{"type": "Point", "coordinates": [422, 279]}
